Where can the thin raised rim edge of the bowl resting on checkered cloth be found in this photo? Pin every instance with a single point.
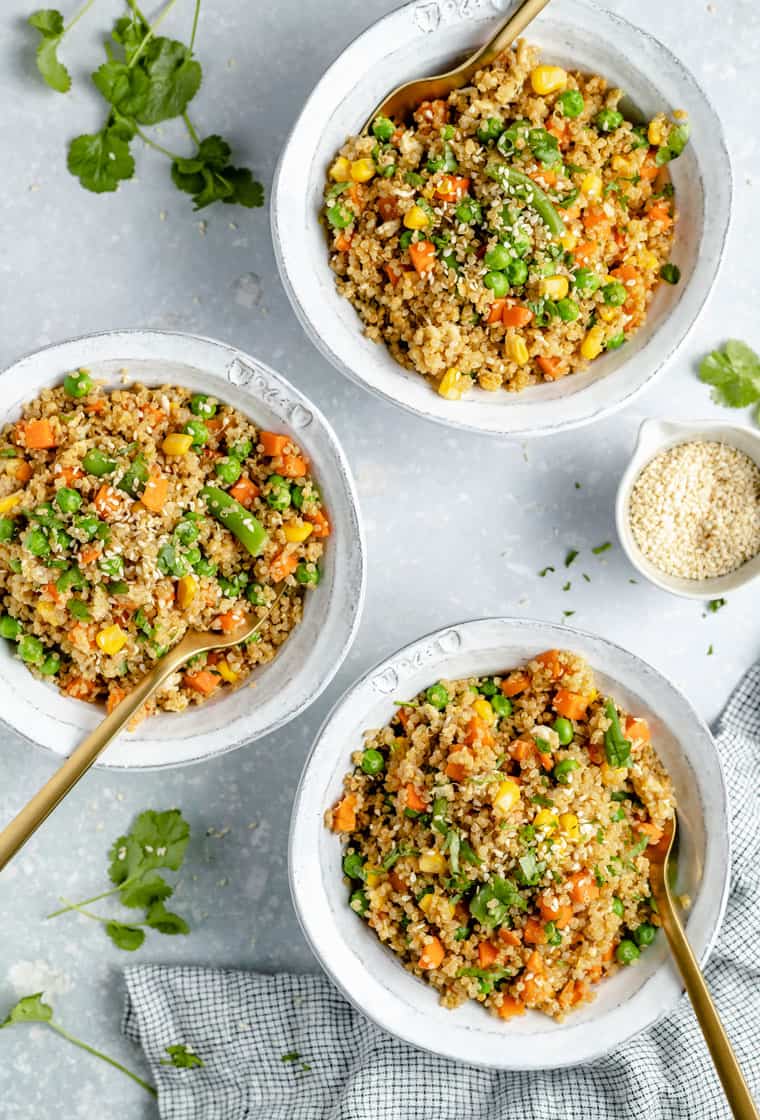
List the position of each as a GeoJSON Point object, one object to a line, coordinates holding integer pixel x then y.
{"type": "Point", "coordinates": [399, 1029]}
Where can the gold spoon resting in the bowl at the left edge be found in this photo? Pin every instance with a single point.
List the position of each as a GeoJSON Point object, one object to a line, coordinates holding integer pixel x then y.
{"type": "Point", "coordinates": [16, 835]}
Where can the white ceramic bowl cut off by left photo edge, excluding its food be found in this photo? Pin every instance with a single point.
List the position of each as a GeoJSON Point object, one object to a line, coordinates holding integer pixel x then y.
{"type": "Point", "coordinates": [315, 651]}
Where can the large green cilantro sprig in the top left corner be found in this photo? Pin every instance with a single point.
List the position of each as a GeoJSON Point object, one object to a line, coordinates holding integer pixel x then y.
{"type": "Point", "coordinates": [146, 80]}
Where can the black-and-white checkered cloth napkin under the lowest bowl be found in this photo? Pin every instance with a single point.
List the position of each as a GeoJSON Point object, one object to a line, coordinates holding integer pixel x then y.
{"type": "Point", "coordinates": [242, 1025]}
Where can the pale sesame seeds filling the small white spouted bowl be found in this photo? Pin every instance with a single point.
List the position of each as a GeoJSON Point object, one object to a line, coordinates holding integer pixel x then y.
{"type": "Point", "coordinates": [696, 510]}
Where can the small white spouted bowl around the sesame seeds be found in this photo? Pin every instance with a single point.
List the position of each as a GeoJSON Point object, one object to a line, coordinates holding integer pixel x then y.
{"type": "Point", "coordinates": [656, 436]}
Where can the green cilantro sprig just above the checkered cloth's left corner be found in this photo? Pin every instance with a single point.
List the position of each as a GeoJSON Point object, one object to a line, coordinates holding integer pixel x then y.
{"type": "Point", "coordinates": [157, 842]}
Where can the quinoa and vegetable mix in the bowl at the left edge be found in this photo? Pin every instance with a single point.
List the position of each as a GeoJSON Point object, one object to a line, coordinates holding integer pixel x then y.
{"type": "Point", "coordinates": [128, 518]}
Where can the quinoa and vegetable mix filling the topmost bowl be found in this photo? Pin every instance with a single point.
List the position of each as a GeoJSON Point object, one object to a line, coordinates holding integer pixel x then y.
{"type": "Point", "coordinates": [509, 235]}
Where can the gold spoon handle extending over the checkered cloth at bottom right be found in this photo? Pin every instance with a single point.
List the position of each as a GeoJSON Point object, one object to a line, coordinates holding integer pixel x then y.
{"type": "Point", "coordinates": [738, 1095]}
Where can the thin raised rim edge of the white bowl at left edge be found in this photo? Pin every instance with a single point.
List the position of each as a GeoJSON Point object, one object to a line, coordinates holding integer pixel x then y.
{"type": "Point", "coordinates": [164, 340]}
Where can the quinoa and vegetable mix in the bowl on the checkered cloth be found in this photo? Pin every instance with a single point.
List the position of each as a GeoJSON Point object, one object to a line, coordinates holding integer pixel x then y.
{"type": "Point", "coordinates": [496, 836]}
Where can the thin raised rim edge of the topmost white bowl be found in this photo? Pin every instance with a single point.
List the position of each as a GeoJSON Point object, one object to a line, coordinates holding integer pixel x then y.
{"type": "Point", "coordinates": [280, 221]}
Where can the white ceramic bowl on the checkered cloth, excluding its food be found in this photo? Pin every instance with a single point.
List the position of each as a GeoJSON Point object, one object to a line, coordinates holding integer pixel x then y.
{"type": "Point", "coordinates": [370, 975]}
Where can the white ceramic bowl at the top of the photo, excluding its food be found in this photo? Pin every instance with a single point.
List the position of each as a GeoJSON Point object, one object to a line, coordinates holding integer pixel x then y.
{"type": "Point", "coordinates": [421, 39]}
